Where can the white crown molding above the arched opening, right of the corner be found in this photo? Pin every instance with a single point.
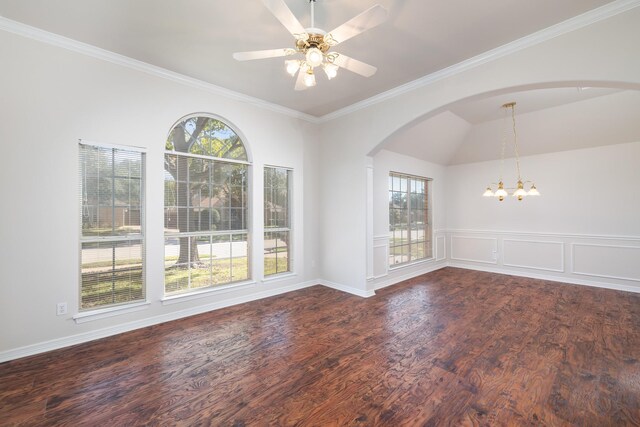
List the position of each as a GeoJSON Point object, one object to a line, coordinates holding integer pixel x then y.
{"type": "Point", "coordinates": [588, 18]}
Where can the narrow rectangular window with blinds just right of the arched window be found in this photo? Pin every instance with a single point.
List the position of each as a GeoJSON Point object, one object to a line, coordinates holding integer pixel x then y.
{"type": "Point", "coordinates": [277, 220]}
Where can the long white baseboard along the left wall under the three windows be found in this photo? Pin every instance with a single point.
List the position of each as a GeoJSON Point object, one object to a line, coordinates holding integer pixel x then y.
{"type": "Point", "coordinates": [58, 343]}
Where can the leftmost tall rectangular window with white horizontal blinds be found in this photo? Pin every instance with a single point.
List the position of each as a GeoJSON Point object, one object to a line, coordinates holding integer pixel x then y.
{"type": "Point", "coordinates": [112, 235]}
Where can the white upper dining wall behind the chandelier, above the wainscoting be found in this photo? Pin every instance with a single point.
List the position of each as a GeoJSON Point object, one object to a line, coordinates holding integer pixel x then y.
{"type": "Point", "coordinates": [589, 191]}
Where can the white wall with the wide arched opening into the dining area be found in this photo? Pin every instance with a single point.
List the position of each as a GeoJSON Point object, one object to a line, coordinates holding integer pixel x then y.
{"type": "Point", "coordinates": [602, 53]}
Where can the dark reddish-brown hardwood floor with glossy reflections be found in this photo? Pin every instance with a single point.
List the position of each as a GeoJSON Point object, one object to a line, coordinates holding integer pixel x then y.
{"type": "Point", "coordinates": [453, 347]}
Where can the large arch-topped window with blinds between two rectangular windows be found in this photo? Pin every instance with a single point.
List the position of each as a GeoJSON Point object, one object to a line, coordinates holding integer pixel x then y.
{"type": "Point", "coordinates": [185, 274]}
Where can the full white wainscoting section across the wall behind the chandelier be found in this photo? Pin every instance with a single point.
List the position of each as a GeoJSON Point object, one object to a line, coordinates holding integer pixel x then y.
{"type": "Point", "coordinates": [611, 262]}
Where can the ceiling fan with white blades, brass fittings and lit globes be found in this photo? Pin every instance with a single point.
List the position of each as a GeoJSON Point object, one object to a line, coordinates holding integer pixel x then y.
{"type": "Point", "coordinates": [315, 44]}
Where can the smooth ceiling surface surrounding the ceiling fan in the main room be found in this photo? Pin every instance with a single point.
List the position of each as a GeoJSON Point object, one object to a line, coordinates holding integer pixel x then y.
{"type": "Point", "coordinates": [197, 37]}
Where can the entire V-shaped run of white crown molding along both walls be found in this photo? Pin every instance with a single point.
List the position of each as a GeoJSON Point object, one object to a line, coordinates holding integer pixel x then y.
{"type": "Point", "coordinates": [599, 14]}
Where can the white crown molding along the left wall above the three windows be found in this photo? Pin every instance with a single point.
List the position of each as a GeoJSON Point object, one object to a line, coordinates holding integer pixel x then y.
{"type": "Point", "coordinates": [115, 58]}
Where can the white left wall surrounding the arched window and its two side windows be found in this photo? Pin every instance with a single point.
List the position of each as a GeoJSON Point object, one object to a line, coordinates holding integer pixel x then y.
{"type": "Point", "coordinates": [51, 97]}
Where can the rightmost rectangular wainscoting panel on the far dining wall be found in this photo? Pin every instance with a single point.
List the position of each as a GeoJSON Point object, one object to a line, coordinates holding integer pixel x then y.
{"type": "Point", "coordinates": [607, 261]}
